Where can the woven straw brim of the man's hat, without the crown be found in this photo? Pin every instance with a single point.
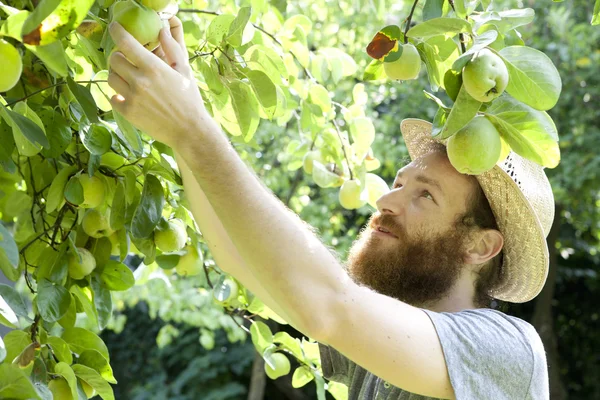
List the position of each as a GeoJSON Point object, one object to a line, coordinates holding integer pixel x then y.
{"type": "Point", "coordinates": [525, 251]}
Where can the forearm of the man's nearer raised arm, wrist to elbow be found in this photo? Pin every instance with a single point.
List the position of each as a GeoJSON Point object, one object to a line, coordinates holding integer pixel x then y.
{"type": "Point", "coordinates": [301, 274]}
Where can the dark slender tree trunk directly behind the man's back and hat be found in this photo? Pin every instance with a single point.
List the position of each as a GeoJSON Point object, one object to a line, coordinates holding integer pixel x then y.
{"type": "Point", "coordinates": [542, 316]}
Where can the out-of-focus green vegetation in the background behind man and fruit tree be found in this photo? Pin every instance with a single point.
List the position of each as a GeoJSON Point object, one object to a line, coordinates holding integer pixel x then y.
{"type": "Point", "coordinates": [167, 341]}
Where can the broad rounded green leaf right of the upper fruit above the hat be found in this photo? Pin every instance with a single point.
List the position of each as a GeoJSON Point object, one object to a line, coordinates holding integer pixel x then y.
{"type": "Point", "coordinates": [533, 78]}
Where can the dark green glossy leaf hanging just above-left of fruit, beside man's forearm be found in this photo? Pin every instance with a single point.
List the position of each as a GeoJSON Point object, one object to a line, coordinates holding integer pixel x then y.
{"type": "Point", "coordinates": [149, 210]}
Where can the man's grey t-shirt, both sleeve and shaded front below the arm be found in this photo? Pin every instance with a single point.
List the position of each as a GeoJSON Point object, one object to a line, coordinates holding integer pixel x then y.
{"type": "Point", "coordinates": [490, 356]}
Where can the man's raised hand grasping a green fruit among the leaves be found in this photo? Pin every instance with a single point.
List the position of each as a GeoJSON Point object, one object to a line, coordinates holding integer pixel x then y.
{"type": "Point", "coordinates": [157, 93]}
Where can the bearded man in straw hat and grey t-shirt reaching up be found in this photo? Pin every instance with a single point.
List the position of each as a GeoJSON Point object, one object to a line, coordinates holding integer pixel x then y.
{"type": "Point", "coordinates": [405, 317]}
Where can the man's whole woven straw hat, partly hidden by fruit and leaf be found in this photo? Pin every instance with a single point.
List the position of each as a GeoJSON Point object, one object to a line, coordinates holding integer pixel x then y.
{"type": "Point", "coordinates": [521, 198]}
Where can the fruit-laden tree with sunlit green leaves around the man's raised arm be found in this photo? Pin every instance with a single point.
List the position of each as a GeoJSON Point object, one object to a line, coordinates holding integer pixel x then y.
{"type": "Point", "coordinates": [83, 190]}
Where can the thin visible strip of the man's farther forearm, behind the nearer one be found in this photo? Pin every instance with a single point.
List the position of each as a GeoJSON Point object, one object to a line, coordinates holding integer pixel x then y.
{"type": "Point", "coordinates": [221, 247]}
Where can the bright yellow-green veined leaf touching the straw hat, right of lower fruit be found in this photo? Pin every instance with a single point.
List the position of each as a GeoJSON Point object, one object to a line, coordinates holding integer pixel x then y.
{"type": "Point", "coordinates": [529, 132]}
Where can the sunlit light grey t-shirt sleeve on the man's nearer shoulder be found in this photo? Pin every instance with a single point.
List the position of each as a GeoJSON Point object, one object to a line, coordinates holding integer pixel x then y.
{"type": "Point", "coordinates": [491, 355]}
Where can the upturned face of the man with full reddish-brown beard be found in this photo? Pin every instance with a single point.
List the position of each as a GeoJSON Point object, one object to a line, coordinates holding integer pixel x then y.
{"type": "Point", "coordinates": [425, 258]}
